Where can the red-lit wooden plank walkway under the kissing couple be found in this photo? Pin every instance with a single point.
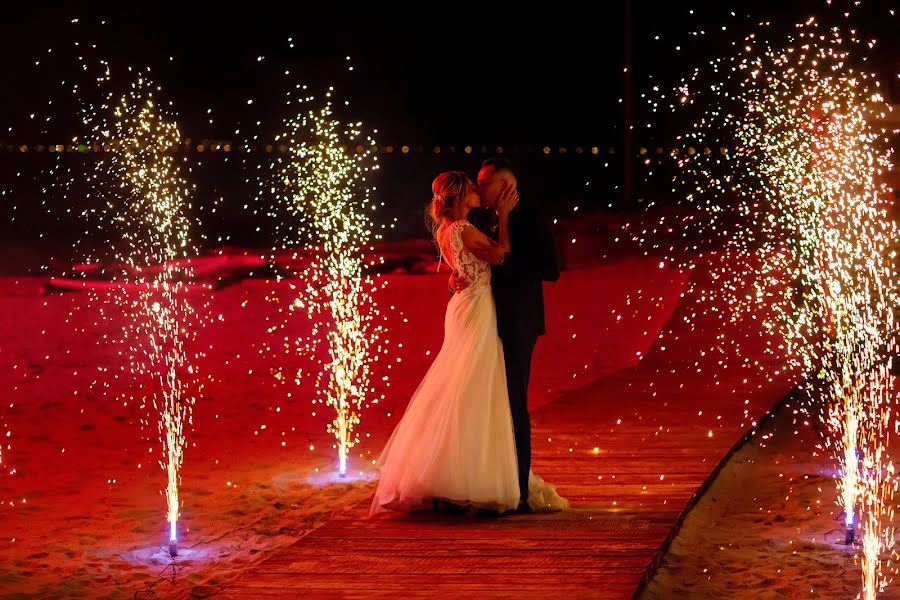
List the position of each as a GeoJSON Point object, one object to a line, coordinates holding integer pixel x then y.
{"type": "Point", "coordinates": [658, 429]}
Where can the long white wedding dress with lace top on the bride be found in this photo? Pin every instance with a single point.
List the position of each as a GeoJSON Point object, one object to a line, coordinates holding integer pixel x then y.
{"type": "Point", "coordinates": [455, 442]}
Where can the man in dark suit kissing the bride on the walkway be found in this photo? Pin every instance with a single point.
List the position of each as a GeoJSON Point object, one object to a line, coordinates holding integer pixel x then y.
{"type": "Point", "coordinates": [518, 294]}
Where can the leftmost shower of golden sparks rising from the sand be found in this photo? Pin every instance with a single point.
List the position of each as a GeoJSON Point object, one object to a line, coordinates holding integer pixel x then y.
{"type": "Point", "coordinates": [145, 229]}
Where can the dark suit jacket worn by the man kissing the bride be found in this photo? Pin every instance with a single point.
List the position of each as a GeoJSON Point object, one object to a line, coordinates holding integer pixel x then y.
{"type": "Point", "coordinates": [518, 283]}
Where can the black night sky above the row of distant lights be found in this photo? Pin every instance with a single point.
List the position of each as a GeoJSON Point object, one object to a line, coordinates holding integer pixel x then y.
{"type": "Point", "coordinates": [433, 73]}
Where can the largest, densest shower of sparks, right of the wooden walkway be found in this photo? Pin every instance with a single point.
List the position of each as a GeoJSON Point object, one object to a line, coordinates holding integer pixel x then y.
{"type": "Point", "coordinates": [798, 194]}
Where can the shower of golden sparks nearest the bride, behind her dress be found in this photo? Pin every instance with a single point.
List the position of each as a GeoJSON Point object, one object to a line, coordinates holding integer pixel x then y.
{"type": "Point", "coordinates": [322, 193]}
